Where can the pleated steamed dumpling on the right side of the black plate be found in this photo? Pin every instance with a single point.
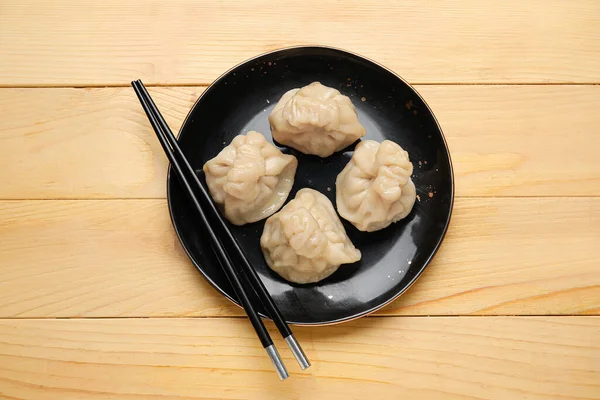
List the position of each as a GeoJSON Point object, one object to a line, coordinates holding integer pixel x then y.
{"type": "Point", "coordinates": [374, 189]}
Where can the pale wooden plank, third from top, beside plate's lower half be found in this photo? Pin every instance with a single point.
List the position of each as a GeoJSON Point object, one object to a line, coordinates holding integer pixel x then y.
{"type": "Point", "coordinates": [121, 258]}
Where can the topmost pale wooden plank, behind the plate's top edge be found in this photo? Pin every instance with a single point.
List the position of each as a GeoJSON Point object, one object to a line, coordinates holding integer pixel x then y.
{"type": "Point", "coordinates": [192, 42]}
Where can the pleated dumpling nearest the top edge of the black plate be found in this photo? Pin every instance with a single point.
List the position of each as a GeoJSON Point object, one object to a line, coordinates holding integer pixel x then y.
{"type": "Point", "coordinates": [315, 119]}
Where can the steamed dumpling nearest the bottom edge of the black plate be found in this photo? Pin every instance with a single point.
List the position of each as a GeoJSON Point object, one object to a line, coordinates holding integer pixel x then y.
{"type": "Point", "coordinates": [306, 242]}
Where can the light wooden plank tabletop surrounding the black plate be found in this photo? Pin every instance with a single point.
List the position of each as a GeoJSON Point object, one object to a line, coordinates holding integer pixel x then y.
{"type": "Point", "coordinates": [98, 300]}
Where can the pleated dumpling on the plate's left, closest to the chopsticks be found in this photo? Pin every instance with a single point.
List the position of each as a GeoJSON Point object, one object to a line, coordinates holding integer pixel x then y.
{"type": "Point", "coordinates": [250, 178]}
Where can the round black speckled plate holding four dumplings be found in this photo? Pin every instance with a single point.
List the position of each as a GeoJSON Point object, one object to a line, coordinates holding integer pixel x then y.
{"type": "Point", "coordinates": [389, 108]}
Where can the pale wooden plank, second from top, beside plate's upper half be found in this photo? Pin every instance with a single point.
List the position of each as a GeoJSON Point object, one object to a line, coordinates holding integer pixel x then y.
{"type": "Point", "coordinates": [97, 143]}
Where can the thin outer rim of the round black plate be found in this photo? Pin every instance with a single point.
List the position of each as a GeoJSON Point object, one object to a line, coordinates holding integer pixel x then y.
{"type": "Point", "coordinates": [427, 261]}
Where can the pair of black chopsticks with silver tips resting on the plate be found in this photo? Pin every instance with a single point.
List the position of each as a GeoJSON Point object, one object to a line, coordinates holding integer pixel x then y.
{"type": "Point", "coordinates": [197, 193]}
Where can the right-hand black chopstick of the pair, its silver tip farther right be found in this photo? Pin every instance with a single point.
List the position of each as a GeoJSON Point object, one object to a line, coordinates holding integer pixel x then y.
{"type": "Point", "coordinates": [250, 272]}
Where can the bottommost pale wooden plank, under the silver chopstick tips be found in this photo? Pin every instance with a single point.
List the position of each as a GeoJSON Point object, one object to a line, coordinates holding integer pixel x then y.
{"type": "Point", "coordinates": [413, 358]}
